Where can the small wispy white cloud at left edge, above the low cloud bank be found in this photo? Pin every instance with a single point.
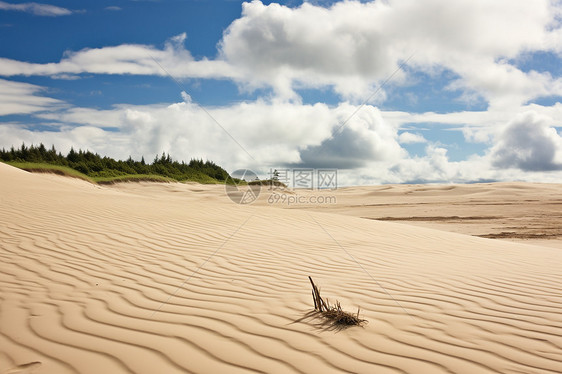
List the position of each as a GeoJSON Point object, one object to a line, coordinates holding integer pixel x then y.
{"type": "Point", "coordinates": [23, 98]}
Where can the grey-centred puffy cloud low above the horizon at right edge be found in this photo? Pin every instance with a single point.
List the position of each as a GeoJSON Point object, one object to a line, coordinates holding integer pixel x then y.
{"type": "Point", "coordinates": [528, 143]}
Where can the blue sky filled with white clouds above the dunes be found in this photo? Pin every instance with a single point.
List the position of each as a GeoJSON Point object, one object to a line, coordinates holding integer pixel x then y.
{"type": "Point", "coordinates": [474, 92]}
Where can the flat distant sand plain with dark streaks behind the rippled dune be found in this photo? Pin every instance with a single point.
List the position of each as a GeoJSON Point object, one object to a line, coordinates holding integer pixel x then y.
{"type": "Point", "coordinates": [524, 212]}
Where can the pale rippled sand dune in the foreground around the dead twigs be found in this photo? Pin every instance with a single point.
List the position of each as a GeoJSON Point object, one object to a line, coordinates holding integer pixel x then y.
{"type": "Point", "coordinates": [174, 278]}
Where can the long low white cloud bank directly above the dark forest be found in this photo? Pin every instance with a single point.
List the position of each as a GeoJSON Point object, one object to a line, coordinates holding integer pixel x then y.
{"type": "Point", "coordinates": [265, 133]}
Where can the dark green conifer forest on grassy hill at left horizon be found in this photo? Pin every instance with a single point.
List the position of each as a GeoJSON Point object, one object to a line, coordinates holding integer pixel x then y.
{"type": "Point", "coordinates": [106, 169]}
